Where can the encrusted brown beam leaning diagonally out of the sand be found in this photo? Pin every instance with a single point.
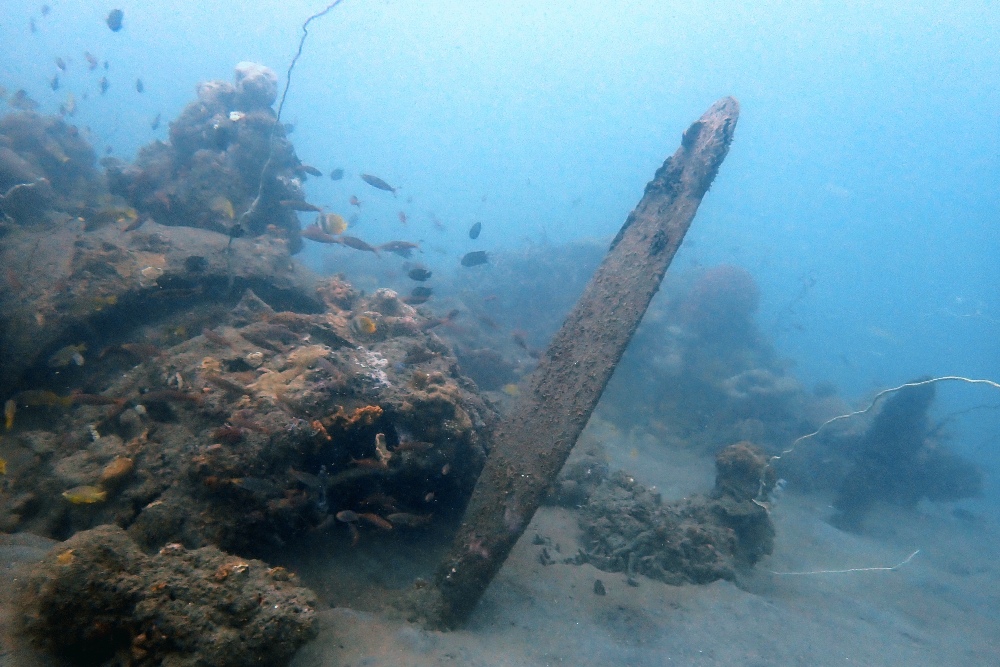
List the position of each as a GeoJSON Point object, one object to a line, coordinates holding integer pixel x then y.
{"type": "Point", "coordinates": [536, 437]}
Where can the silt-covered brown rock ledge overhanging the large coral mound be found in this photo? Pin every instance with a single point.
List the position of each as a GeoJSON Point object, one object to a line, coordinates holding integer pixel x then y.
{"type": "Point", "coordinates": [70, 285]}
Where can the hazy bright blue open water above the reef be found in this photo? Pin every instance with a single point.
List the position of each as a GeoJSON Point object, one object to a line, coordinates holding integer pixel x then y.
{"type": "Point", "coordinates": [861, 189]}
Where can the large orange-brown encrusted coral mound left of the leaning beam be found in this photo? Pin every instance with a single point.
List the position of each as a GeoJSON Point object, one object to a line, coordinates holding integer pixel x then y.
{"type": "Point", "coordinates": [266, 427]}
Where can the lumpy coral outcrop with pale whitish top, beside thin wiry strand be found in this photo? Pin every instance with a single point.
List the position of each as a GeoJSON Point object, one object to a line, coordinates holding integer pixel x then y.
{"type": "Point", "coordinates": [212, 169]}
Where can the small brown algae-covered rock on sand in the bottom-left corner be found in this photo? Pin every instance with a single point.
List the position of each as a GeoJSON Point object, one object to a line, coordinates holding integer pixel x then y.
{"type": "Point", "coordinates": [97, 597]}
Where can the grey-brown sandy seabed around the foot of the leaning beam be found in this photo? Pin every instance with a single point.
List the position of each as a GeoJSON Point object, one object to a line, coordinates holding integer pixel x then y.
{"type": "Point", "coordinates": [940, 608]}
